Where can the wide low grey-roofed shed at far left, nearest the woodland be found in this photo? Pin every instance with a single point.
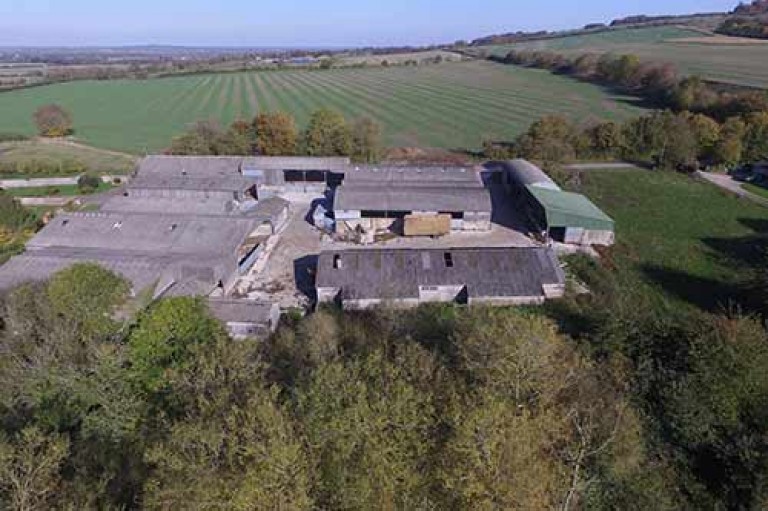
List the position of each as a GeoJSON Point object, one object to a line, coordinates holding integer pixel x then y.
{"type": "Point", "coordinates": [164, 253]}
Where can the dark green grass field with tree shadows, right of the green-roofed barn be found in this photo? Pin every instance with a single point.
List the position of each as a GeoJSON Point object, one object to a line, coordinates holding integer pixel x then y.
{"type": "Point", "coordinates": [687, 239]}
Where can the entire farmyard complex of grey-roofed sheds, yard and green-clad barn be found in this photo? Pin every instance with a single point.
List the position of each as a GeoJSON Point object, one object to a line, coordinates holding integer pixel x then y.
{"type": "Point", "coordinates": [209, 226]}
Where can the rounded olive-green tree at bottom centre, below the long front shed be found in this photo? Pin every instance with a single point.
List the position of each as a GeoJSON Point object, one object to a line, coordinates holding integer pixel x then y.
{"type": "Point", "coordinates": [370, 429]}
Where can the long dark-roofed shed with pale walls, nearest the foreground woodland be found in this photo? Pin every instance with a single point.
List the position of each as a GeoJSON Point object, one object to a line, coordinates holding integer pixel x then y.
{"type": "Point", "coordinates": [362, 278]}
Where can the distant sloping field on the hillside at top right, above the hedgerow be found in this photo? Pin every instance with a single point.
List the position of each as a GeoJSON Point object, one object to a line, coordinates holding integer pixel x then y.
{"type": "Point", "coordinates": [742, 64]}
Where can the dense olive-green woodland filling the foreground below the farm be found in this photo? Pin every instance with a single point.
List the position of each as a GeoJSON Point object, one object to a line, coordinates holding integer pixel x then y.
{"type": "Point", "coordinates": [608, 401]}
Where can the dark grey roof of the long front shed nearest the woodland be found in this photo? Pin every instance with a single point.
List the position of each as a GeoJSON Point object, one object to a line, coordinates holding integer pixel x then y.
{"type": "Point", "coordinates": [398, 273]}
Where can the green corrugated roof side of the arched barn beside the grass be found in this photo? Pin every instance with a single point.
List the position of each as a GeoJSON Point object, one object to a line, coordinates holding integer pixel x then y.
{"type": "Point", "coordinates": [567, 209]}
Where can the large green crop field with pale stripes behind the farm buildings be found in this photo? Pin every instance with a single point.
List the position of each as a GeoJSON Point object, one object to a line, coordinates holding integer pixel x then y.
{"type": "Point", "coordinates": [450, 105]}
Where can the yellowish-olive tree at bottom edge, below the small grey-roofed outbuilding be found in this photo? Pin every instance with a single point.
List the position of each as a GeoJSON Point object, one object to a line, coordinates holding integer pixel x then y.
{"type": "Point", "coordinates": [229, 443]}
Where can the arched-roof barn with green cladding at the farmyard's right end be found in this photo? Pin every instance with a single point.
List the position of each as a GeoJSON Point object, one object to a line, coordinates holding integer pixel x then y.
{"type": "Point", "coordinates": [561, 216]}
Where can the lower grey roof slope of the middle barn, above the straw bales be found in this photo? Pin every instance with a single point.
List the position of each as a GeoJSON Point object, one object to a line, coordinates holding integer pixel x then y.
{"type": "Point", "coordinates": [412, 198]}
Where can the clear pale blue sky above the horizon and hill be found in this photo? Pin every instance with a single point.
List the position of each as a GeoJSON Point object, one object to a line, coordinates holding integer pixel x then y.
{"type": "Point", "coordinates": [305, 22]}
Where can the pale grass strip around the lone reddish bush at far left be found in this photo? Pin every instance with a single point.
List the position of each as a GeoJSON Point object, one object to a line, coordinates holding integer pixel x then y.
{"type": "Point", "coordinates": [54, 151]}
